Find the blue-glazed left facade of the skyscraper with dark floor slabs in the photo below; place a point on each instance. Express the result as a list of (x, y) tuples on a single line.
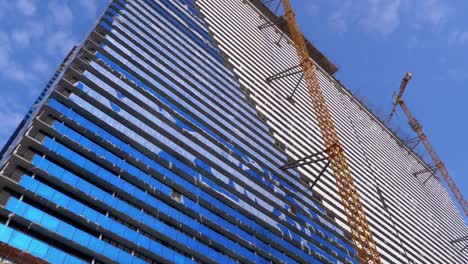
[(144, 148)]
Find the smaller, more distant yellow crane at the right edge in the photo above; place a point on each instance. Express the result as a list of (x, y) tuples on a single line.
[(416, 126)]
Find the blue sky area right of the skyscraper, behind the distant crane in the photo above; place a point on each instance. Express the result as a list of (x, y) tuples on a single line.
[(375, 42)]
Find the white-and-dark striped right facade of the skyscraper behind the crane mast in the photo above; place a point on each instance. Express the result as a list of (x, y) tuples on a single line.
[(413, 218)]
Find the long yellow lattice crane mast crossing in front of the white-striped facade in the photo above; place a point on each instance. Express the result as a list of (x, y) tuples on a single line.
[(361, 232)]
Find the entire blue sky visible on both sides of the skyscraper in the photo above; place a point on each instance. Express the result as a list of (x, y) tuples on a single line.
[(373, 42)]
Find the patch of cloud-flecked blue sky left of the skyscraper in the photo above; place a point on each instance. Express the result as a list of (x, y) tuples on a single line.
[(35, 36)]
